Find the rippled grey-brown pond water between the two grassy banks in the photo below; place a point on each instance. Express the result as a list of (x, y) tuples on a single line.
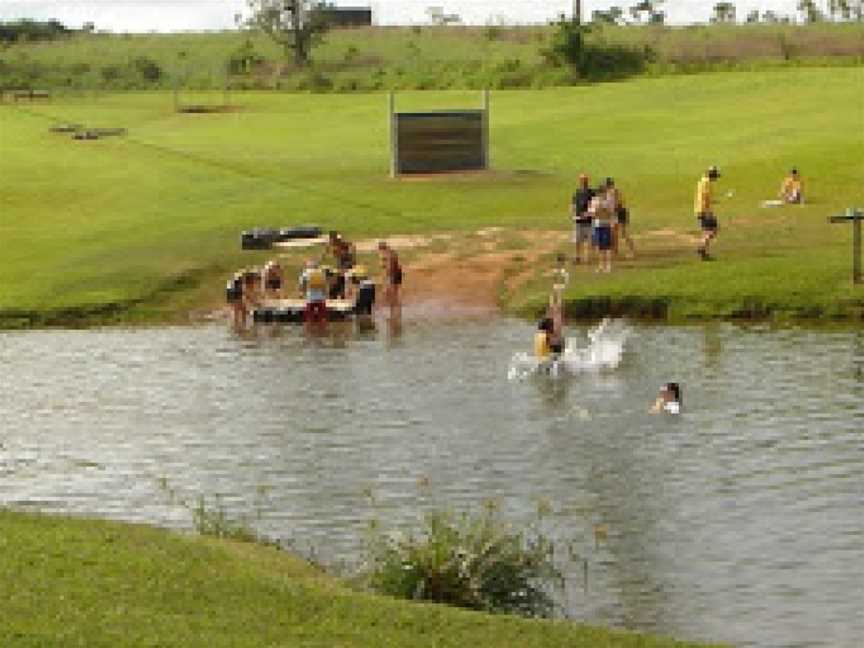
[(739, 520)]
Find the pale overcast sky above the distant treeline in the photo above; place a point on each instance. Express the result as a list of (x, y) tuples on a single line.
[(179, 15)]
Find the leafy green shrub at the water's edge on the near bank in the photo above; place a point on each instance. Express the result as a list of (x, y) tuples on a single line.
[(470, 561)]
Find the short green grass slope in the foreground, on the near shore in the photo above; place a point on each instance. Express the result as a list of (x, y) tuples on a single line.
[(81, 582)]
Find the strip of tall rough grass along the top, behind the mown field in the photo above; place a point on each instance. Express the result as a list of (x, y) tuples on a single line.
[(381, 58)]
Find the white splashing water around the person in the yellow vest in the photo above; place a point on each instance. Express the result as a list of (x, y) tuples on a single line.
[(604, 351)]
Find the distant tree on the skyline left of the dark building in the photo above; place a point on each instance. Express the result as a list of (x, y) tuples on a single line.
[(296, 25)]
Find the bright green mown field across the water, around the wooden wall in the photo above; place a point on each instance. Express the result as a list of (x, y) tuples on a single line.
[(146, 227)]
